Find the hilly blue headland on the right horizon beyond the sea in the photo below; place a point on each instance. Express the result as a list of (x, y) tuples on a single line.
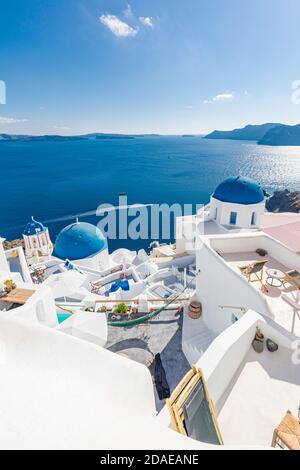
[(264, 134)]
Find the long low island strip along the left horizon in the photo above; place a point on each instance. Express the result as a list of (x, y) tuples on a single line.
[(67, 138)]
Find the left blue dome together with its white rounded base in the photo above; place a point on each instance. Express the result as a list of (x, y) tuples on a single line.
[(83, 243)]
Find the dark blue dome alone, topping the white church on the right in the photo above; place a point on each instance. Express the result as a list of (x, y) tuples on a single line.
[(239, 190)]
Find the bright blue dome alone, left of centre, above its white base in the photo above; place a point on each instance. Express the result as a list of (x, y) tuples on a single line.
[(78, 241)]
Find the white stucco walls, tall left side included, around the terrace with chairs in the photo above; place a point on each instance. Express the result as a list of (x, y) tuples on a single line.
[(224, 291)]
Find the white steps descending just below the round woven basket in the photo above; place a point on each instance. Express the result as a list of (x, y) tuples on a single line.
[(198, 342)]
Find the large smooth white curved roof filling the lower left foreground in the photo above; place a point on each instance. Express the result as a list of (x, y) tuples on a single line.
[(61, 392)]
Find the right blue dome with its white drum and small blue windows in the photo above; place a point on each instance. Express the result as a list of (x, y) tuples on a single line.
[(238, 202)]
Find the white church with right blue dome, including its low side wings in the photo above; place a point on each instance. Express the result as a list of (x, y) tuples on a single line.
[(236, 206)]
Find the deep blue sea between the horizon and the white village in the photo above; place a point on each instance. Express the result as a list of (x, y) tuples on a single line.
[(53, 180)]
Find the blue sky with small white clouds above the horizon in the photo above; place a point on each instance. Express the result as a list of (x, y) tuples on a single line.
[(167, 66)]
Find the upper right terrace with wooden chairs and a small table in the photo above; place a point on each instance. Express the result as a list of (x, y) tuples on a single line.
[(240, 251)]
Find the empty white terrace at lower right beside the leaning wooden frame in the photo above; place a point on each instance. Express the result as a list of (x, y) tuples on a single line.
[(261, 391)]
